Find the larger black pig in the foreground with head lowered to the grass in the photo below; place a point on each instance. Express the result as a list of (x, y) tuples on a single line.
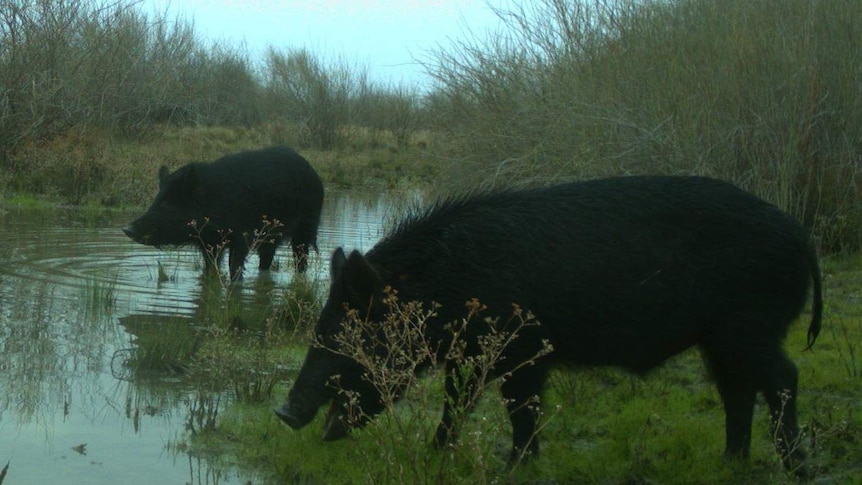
[(620, 272)]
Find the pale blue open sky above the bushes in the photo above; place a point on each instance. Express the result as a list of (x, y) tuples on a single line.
[(386, 36)]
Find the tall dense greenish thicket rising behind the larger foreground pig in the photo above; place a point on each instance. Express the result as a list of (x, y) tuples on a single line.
[(761, 93)]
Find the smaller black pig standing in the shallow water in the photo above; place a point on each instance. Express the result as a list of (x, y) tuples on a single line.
[(225, 203)]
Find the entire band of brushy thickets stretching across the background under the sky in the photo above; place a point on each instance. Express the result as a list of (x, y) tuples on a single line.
[(765, 94)]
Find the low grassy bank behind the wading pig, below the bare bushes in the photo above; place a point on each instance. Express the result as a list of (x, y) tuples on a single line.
[(93, 167)]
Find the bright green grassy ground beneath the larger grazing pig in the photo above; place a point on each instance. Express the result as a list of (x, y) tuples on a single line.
[(600, 425)]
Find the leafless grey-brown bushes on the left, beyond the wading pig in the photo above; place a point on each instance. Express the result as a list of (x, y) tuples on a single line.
[(102, 63)]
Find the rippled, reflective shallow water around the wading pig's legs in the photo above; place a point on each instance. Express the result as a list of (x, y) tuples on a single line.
[(68, 412)]
